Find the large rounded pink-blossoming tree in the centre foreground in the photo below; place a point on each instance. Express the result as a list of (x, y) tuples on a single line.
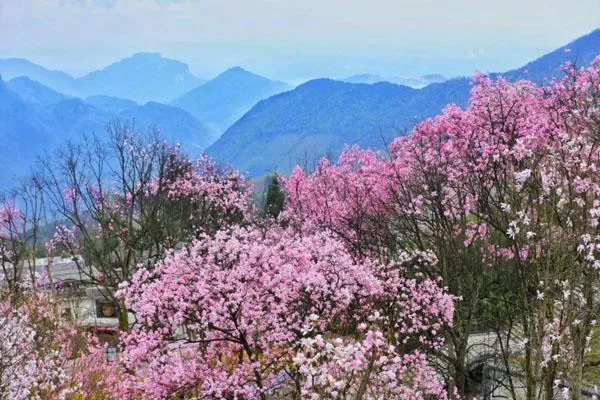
[(227, 316)]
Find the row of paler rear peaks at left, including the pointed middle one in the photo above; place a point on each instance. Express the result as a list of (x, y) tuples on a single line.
[(146, 77)]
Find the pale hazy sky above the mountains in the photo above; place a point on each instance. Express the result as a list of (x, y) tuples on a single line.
[(295, 39)]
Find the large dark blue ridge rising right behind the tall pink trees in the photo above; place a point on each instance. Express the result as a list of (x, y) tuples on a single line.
[(322, 116)]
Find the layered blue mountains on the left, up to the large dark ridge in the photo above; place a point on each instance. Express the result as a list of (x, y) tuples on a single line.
[(37, 117)]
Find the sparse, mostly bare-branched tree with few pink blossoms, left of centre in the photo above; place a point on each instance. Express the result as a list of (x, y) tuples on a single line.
[(126, 201)]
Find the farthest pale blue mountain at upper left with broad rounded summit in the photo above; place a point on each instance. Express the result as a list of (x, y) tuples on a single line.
[(142, 77)]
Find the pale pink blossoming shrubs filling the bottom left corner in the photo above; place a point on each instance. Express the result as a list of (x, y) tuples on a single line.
[(44, 357)]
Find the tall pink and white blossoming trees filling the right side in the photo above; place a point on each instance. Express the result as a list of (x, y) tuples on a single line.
[(505, 194)]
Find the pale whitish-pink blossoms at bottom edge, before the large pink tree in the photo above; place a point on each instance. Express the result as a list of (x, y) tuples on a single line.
[(371, 368)]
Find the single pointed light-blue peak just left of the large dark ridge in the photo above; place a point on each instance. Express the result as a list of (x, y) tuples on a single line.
[(224, 99)]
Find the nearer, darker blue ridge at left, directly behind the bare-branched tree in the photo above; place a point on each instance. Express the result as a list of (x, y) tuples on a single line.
[(35, 118)]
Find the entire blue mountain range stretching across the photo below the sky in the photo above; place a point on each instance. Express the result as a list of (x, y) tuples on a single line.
[(268, 126)]
